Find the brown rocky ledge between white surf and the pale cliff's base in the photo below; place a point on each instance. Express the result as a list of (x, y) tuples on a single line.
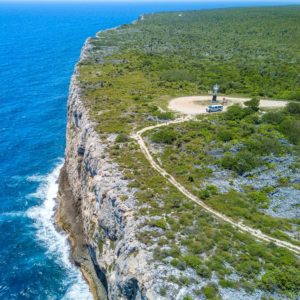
[(69, 221)]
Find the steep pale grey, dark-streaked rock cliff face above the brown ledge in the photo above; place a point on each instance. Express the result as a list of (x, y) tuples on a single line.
[(104, 206)]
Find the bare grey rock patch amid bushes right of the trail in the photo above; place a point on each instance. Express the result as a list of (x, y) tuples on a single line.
[(284, 200)]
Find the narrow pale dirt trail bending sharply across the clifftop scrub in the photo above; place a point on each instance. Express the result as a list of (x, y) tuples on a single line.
[(257, 234)]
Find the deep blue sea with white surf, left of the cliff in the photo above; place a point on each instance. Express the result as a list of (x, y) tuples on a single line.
[(39, 45)]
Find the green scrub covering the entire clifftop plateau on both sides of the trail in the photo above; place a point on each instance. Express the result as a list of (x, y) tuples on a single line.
[(131, 74)]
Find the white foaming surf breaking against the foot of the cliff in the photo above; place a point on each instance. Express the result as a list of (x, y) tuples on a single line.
[(56, 243)]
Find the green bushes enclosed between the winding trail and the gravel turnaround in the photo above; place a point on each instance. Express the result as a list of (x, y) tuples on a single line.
[(242, 139)]
